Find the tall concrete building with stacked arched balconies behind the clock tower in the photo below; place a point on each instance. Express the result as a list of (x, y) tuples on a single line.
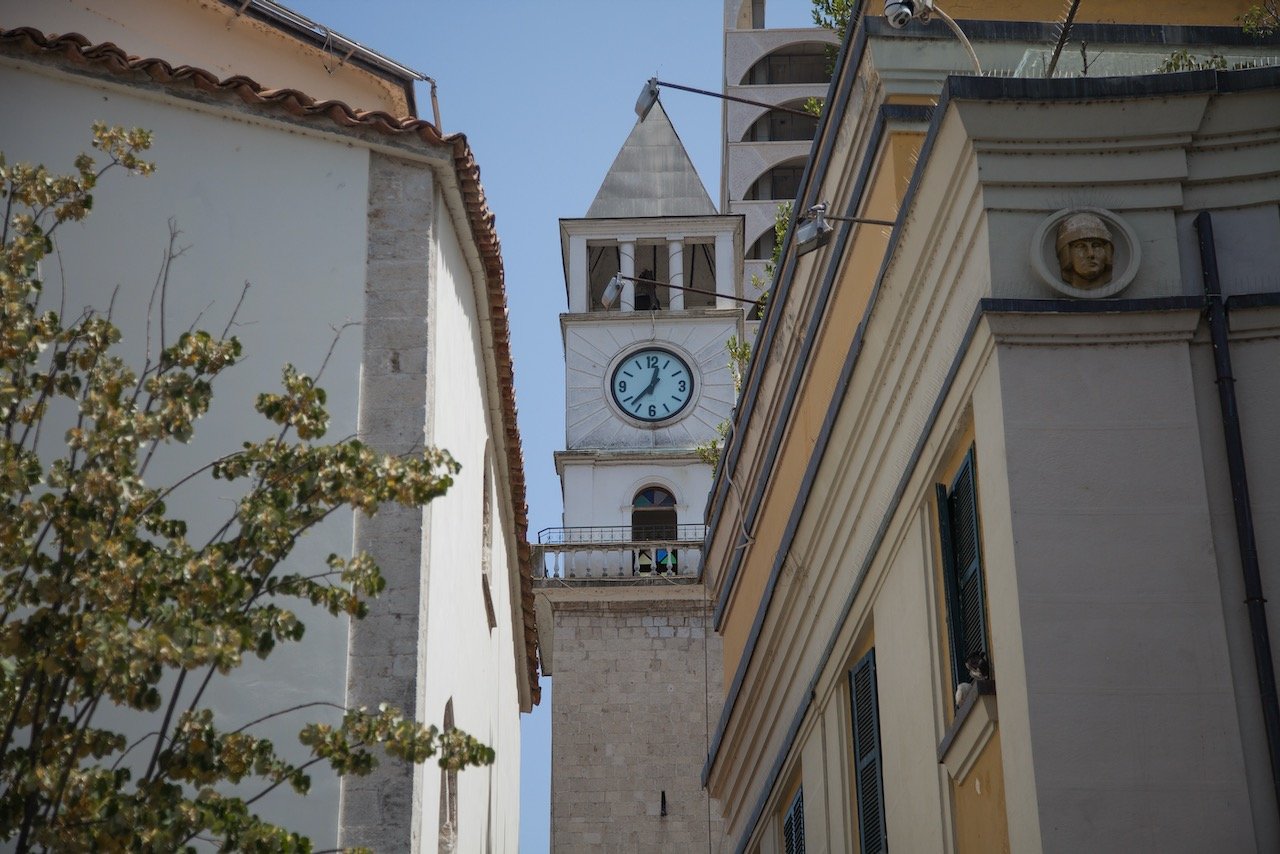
[(765, 152)]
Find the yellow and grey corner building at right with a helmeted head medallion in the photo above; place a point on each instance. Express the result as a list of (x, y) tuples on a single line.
[(980, 546)]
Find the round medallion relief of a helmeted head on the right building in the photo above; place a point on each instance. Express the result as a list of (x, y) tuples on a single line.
[(1086, 253)]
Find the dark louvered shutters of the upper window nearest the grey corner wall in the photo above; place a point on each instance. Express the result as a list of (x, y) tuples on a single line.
[(967, 613)]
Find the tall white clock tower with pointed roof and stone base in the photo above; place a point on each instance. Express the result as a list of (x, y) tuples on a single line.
[(655, 286)]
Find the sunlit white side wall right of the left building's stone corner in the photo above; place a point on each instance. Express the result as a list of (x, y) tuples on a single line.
[(461, 657)]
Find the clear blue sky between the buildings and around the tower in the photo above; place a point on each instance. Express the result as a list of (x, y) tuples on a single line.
[(545, 92)]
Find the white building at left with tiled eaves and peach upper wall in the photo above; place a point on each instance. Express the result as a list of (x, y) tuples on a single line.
[(292, 161)]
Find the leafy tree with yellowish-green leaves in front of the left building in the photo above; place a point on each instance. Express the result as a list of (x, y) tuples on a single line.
[(104, 600)]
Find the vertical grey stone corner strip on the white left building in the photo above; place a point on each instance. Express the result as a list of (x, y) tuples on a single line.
[(382, 666)]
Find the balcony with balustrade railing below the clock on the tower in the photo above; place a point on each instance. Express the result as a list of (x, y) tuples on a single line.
[(620, 554)]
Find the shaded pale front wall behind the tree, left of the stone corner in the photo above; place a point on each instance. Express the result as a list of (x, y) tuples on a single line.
[(236, 229)]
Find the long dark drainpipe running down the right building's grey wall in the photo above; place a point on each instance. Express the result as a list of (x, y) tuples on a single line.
[(1217, 309)]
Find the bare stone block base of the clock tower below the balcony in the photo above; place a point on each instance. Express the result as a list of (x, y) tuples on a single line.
[(630, 721)]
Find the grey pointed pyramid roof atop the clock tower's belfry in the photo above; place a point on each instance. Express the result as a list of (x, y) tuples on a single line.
[(652, 176)]
